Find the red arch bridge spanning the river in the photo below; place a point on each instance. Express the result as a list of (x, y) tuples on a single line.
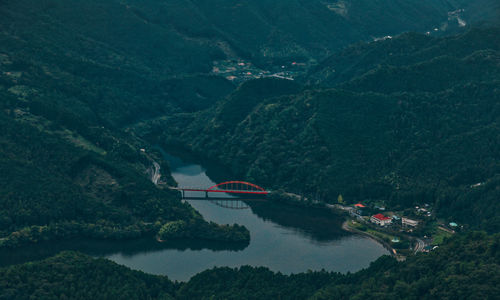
[(230, 187)]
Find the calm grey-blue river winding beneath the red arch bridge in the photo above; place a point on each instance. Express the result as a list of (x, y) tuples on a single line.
[(284, 238)]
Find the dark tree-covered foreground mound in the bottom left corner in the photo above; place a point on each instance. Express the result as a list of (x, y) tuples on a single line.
[(72, 275)]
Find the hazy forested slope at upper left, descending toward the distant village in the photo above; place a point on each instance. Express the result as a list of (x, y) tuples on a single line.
[(102, 62)]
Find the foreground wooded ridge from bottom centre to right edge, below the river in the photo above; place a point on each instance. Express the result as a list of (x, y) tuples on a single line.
[(466, 267)]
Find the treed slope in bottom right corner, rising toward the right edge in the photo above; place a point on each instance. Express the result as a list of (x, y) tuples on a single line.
[(467, 267)]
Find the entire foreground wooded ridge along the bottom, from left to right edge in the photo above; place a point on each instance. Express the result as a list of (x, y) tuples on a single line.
[(466, 267)]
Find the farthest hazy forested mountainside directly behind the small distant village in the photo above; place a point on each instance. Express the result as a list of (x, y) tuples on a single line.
[(276, 31)]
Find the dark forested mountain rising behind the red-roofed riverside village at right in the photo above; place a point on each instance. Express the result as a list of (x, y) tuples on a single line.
[(418, 126)]
